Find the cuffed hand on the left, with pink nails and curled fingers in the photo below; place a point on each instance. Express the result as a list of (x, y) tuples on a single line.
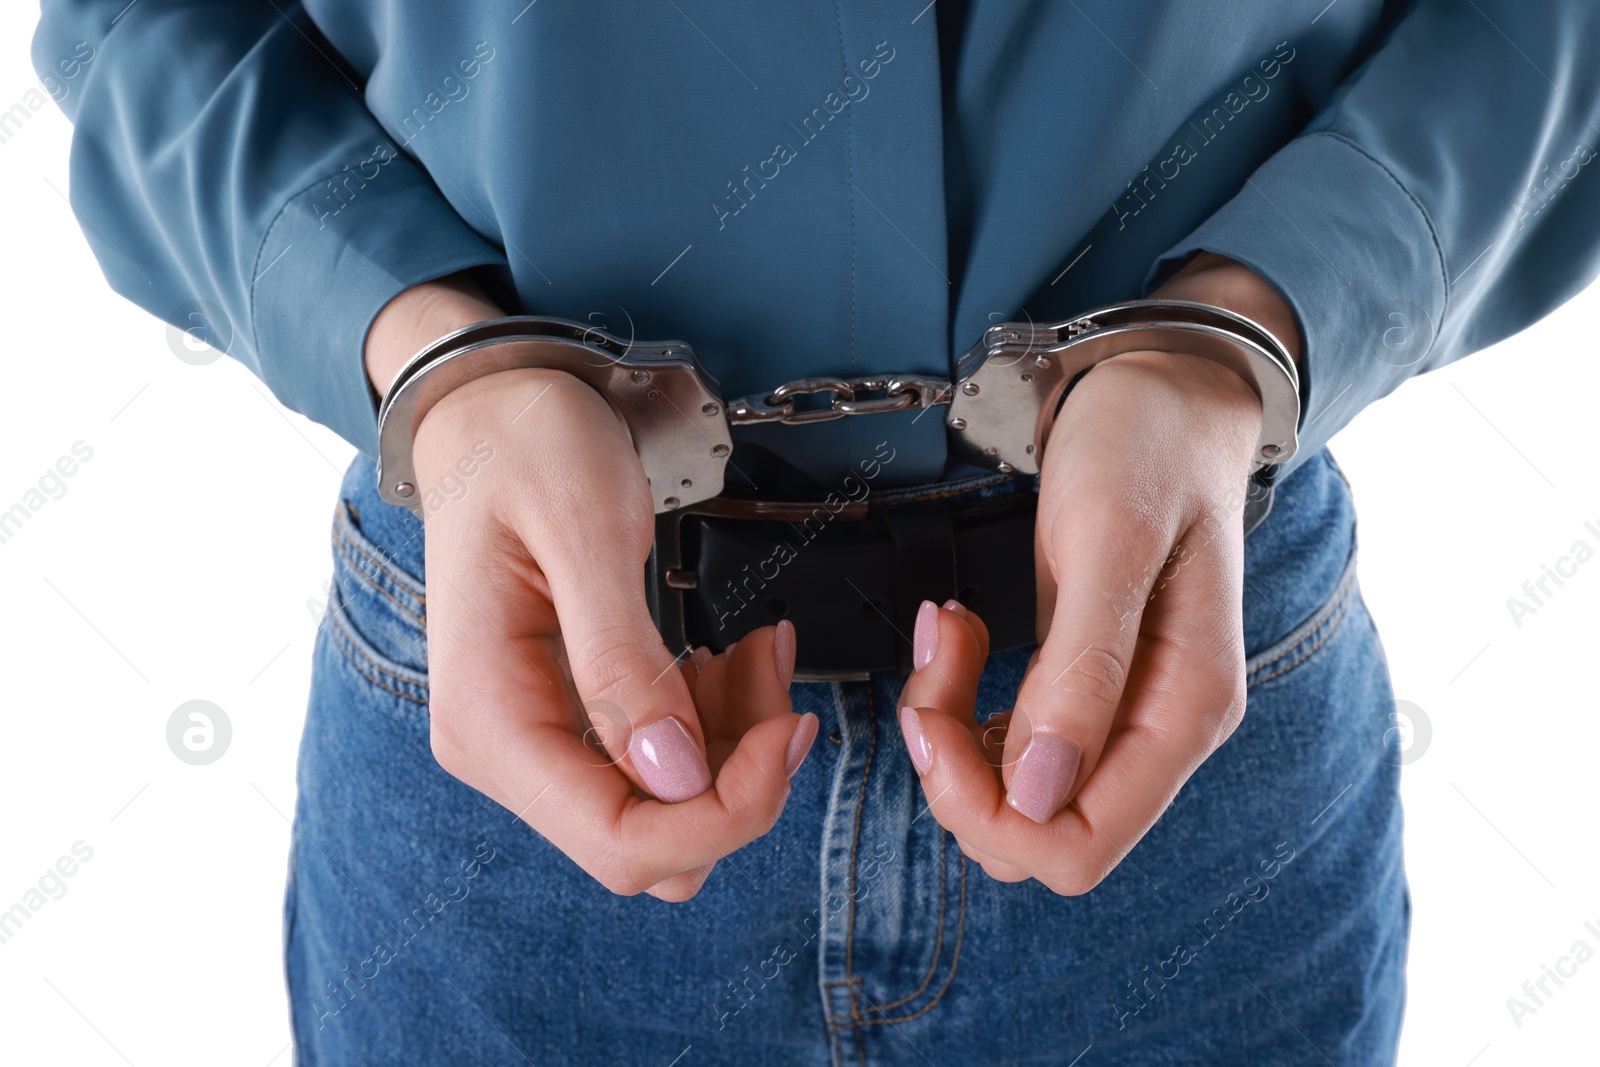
[(551, 690)]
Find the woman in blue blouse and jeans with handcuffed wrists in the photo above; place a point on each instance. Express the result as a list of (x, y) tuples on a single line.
[(729, 865)]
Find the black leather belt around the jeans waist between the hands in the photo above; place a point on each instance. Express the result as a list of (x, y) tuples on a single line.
[(850, 575)]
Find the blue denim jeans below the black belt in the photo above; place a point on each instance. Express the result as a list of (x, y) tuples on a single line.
[(1263, 921)]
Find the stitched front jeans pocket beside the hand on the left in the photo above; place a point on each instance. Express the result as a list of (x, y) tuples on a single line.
[(377, 610)]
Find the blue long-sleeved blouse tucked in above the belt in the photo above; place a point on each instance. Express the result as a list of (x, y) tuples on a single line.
[(815, 188)]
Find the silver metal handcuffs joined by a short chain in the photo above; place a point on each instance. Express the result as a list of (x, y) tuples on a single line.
[(1004, 401)]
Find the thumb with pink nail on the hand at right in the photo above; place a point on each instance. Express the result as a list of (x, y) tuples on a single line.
[(1100, 562)]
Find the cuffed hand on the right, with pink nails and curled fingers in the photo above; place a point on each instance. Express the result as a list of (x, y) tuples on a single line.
[(1142, 669)]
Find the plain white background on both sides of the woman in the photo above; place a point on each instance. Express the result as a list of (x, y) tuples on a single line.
[(182, 559)]
